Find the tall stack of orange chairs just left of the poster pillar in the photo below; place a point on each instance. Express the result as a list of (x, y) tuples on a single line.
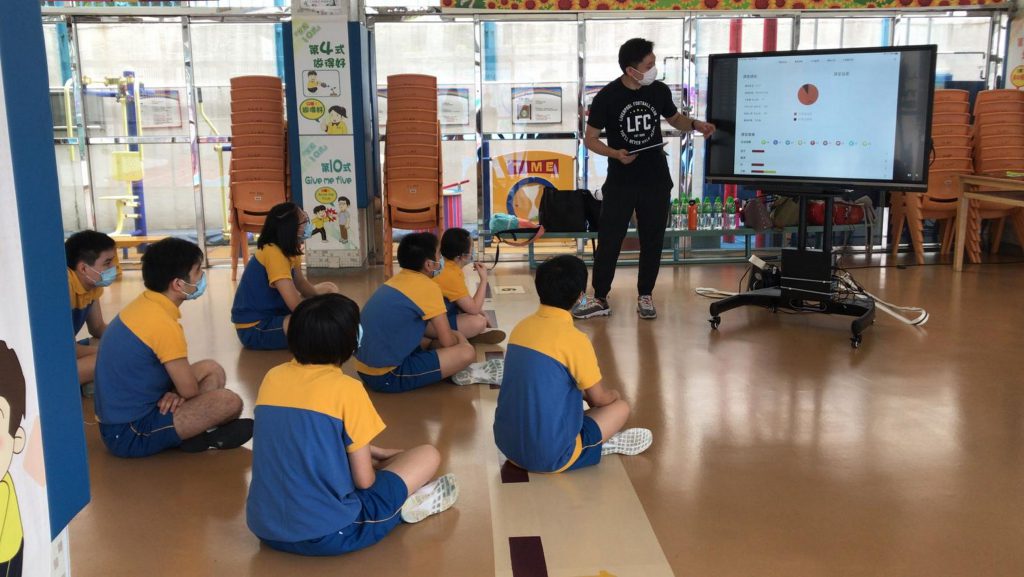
[(259, 157)]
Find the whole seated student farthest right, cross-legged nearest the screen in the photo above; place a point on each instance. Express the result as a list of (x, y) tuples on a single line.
[(551, 367)]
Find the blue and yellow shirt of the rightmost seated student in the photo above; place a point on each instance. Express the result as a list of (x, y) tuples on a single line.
[(548, 366)]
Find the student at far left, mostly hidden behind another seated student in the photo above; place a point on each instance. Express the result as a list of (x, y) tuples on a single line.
[(92, 267)]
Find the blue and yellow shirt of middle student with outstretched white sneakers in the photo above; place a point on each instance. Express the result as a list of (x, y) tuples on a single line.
[(395, 320)]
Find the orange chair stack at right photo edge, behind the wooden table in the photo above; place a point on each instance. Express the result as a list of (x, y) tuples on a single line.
[(999, 150)]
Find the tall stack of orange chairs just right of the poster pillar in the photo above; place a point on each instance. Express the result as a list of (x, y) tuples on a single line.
[(412, 158)]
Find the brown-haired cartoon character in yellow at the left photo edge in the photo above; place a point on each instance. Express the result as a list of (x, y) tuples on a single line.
[(13, 439)]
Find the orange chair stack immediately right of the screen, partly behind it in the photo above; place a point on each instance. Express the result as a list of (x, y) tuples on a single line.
[(952, 139)]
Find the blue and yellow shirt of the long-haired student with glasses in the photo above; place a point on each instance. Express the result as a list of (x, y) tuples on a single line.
[(257, 300)]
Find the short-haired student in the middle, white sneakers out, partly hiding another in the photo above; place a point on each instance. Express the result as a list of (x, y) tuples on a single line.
[(408, 343)]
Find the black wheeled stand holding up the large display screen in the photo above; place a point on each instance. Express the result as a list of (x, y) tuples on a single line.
[(806, 280)]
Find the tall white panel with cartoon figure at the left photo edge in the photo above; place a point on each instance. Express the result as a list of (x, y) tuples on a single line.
[(25, 530)]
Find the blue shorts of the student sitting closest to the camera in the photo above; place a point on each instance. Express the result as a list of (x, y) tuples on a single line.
[(381, 513)]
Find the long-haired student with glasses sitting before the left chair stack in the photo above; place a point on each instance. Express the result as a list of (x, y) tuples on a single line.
[(273, 283)]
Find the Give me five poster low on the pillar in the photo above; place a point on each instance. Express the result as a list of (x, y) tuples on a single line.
[(329, 197)]
